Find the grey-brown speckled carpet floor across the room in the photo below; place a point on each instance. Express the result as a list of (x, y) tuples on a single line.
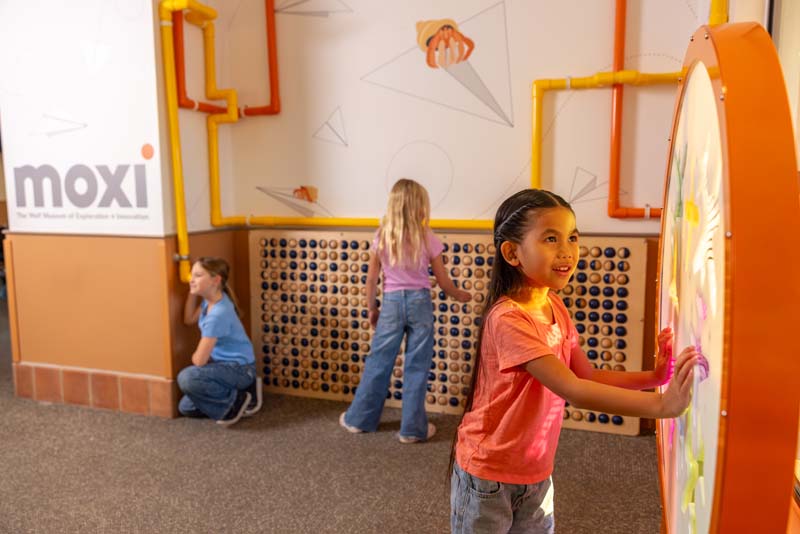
[(289, 469)]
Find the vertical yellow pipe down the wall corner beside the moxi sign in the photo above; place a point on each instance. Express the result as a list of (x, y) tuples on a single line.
[(165, 13)]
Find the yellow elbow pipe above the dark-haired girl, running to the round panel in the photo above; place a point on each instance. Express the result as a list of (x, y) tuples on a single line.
[(600, 79)]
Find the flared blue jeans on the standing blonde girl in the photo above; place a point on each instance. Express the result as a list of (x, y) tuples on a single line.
[(408, 311)]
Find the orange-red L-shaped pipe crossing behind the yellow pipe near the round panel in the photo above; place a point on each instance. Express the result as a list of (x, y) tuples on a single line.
[(614, 209)]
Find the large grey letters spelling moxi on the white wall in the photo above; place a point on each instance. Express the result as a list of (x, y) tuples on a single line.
[(85, 197)]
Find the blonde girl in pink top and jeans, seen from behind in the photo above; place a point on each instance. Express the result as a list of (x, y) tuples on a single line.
[(403, 249)]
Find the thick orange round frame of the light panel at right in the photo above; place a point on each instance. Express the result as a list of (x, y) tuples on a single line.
[(759, 392)]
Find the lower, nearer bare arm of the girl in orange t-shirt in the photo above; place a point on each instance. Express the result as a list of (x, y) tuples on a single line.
[(590, 395)]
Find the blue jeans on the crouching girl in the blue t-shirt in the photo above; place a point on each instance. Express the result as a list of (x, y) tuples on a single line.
[(211, 389)]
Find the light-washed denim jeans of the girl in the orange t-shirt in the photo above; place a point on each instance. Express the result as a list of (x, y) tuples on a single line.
[(488, 507)]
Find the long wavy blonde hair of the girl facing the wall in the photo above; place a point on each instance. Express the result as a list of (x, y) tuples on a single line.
[(402, 233)]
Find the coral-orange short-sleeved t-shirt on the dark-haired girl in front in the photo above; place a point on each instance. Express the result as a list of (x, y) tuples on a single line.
[(511, 433)]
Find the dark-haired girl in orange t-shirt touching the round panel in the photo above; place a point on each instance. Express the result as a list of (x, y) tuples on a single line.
[(527, 365)]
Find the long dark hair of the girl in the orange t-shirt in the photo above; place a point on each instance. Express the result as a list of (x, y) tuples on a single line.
[(514, 218)]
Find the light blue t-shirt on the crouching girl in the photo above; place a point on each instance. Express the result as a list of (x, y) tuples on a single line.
[(232, 345)]
